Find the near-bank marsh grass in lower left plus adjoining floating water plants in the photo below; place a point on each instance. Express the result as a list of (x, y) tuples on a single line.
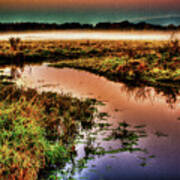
[(39, 133)]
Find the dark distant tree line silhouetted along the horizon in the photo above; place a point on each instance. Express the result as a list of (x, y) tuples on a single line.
[(125, 25)]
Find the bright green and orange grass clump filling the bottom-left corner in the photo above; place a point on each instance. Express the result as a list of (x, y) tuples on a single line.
[(24, 147)]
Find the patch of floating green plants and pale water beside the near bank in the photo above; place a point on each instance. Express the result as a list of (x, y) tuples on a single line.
[(104, 140)]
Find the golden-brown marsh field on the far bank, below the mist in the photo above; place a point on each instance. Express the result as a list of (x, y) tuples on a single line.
[(139, 62)]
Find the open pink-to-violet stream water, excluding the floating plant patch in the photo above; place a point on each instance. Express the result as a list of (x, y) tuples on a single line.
[(136, 107)]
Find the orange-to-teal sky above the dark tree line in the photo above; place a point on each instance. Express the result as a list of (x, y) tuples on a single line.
[(90, 11)]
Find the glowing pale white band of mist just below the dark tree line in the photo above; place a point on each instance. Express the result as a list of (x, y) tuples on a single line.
[(91, 35)]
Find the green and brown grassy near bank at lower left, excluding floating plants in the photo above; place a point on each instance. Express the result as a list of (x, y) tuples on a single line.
[(38, 130)]
